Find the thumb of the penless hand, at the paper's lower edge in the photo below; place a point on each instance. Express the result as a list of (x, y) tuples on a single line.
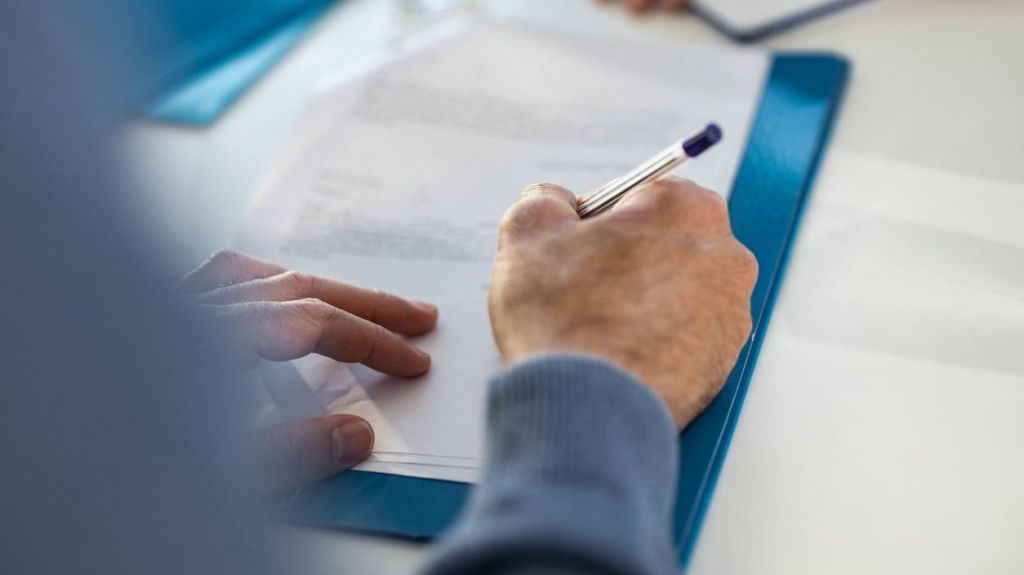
[(293, 455)]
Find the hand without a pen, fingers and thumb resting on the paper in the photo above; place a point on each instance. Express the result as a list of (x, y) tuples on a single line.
[(279, 315)]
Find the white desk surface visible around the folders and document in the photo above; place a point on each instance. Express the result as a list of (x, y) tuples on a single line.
[(884, 429)]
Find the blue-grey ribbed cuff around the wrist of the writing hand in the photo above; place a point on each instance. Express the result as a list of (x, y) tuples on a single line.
[(578, 415)]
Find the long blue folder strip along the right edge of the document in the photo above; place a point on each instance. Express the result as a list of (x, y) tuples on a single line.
[(791, 134)]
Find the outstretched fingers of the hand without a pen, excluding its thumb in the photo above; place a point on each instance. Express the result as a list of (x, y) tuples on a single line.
[(280, 315)]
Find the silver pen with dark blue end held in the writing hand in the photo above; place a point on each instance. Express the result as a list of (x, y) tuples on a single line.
[(658, 167)]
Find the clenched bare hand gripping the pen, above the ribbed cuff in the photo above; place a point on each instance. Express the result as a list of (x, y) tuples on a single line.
[(658, 286)]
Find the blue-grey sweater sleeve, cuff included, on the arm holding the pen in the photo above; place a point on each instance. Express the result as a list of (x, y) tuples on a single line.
[(581, 477)]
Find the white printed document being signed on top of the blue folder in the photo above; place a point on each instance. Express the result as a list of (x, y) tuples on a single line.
[(398, 179)]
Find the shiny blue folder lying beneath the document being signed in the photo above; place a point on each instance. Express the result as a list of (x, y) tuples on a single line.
[(790, 135)]
